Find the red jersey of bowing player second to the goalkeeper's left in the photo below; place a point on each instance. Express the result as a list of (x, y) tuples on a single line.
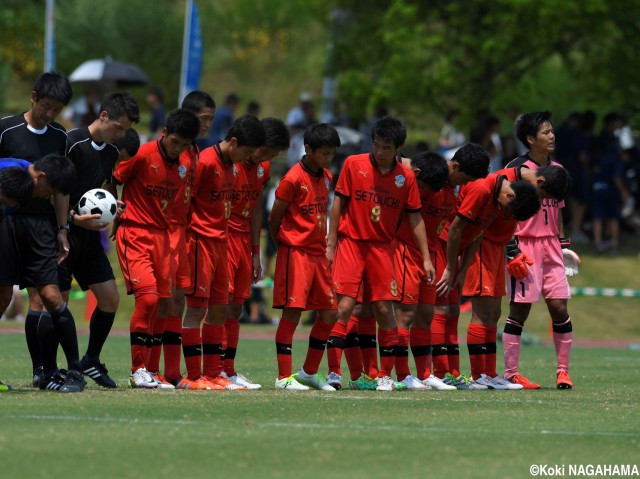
[(478, 205)]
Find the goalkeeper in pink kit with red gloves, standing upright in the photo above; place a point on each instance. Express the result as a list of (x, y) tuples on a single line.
[(539, 239)]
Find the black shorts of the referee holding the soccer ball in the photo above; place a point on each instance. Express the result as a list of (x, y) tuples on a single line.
[(87, 261)]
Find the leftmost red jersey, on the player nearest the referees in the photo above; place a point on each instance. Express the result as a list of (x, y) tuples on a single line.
[(151, 183)]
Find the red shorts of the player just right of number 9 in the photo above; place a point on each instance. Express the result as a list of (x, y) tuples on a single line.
[(412, 282)]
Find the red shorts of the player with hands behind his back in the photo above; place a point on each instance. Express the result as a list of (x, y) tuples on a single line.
[(302, 281)]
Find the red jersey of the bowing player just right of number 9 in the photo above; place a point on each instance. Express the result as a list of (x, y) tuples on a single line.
[(437, 208)]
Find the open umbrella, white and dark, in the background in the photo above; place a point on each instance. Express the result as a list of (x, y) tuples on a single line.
[(108, 73)]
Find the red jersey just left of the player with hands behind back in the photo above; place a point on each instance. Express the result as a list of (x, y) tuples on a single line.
[(250, 179)]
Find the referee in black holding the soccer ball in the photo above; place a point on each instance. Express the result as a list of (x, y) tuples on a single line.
[(92, 151)]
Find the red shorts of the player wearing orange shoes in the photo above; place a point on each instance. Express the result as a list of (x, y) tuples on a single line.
[(209, 271)]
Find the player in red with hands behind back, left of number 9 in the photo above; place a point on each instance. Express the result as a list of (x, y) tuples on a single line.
[(298, 225)]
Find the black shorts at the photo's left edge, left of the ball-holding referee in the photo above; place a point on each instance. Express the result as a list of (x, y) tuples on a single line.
[(29, 250)]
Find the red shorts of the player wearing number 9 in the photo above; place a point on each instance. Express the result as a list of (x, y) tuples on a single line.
[(354, 259)]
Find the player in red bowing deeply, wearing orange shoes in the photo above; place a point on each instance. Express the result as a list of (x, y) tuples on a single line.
[(207, 238)]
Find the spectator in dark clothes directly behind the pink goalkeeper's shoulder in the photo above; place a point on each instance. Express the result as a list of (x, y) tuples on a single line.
[(572, 150)]
